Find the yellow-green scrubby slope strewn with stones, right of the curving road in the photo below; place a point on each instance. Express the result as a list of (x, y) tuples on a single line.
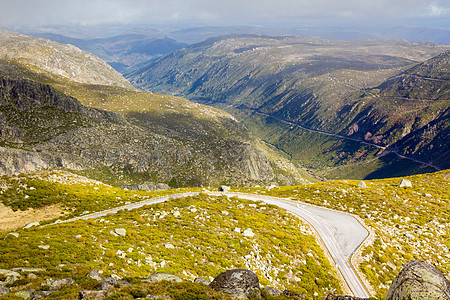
[(408, 222)]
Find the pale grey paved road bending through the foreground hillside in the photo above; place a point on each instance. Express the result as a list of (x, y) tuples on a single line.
[(341, 233)]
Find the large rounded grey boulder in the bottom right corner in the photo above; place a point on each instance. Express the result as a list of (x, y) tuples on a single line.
[(419, 280)]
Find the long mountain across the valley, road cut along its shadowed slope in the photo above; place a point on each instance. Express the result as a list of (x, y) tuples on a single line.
[(309, 97)]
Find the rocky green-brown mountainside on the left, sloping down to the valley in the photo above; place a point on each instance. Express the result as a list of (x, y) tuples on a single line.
[(129, 137)]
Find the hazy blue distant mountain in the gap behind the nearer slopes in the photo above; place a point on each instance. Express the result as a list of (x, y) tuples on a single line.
[(121, 51)]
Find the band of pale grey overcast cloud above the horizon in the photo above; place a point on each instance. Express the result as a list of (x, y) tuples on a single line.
[(235, 12)]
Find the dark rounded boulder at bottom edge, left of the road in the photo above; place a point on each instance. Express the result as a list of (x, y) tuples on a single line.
[(239, 283)]
